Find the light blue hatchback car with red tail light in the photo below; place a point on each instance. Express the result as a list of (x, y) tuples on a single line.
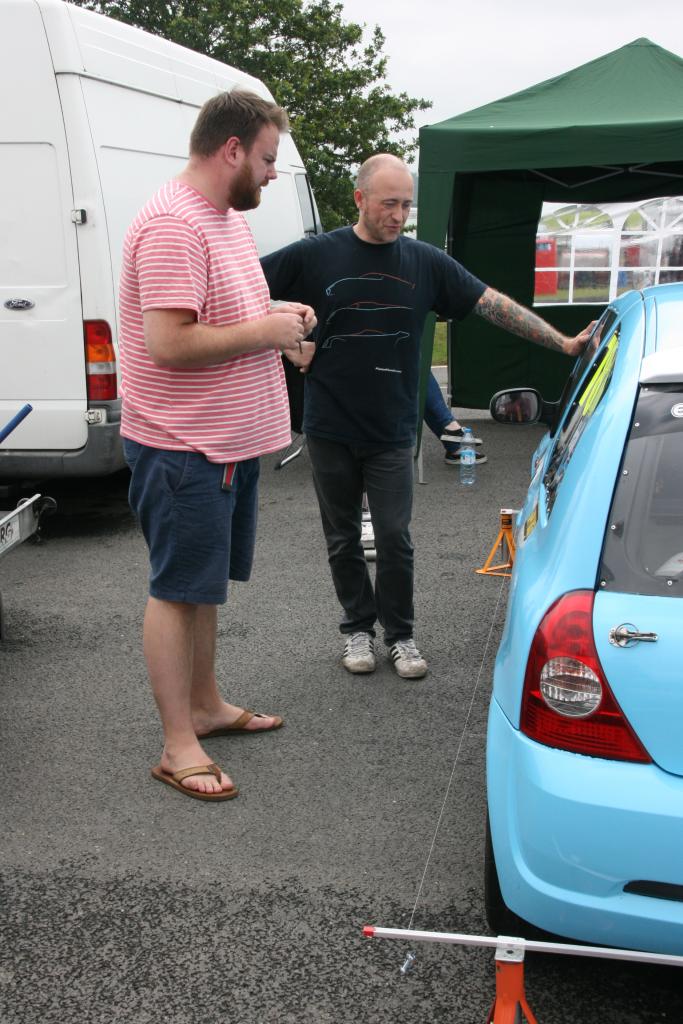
[(585, 744)]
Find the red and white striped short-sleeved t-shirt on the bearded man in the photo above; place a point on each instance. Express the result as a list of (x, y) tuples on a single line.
[(183, 253)]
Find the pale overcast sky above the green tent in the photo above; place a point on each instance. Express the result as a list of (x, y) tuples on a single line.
[(463, 54)]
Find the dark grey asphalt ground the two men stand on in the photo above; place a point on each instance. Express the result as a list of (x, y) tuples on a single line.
[(124, 902)]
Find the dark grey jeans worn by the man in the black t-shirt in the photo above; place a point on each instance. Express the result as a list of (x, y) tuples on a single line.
[(341, 474)]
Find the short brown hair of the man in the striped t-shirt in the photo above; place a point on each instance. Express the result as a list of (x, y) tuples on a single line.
[(239, 113)]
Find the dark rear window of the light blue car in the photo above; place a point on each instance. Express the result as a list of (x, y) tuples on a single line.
[(644, 547)]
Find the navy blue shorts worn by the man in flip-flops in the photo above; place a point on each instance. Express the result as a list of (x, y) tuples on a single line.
[(199, 535)]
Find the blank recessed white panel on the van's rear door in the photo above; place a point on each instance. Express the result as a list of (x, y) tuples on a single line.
[(32, 232)]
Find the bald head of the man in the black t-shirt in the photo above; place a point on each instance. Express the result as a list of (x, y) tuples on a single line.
[(385, 197)]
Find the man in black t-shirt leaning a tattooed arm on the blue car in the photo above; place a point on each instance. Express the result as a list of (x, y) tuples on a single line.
[(372, 288)]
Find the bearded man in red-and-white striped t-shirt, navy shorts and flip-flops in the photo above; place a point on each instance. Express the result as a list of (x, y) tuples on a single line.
[(204, 397)]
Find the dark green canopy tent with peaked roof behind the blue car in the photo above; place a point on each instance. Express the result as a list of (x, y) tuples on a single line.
[(611, 131)]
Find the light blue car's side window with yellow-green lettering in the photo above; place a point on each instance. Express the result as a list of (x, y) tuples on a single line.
[(583, 406)]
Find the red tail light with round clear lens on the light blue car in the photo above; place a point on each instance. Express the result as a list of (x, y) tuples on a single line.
[(567, 701)]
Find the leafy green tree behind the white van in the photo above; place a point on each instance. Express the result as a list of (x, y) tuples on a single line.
[(330, 79)]
